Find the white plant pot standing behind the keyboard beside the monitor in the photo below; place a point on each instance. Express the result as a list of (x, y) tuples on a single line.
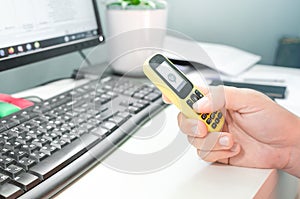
[(134, 35)]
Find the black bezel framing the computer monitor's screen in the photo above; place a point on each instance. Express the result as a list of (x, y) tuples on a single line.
[(57, 51)]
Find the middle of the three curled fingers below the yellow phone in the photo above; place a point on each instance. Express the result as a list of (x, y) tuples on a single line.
[(214, 141)]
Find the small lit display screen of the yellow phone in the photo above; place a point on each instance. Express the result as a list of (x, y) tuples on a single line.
[(171, 76)]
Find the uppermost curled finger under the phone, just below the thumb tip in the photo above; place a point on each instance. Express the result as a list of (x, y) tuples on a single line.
[(191, 127)]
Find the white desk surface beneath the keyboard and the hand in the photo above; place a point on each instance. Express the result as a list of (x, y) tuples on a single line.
[(188, 177)]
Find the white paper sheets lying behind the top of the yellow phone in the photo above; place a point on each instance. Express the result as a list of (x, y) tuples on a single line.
[(225, 59)]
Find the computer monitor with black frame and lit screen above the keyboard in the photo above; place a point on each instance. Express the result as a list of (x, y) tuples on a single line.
[(34, 30)]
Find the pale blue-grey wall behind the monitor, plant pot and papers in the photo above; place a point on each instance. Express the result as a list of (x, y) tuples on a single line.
[(254, 26)]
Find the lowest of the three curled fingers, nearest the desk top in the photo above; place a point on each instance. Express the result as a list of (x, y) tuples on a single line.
[(215, 156)]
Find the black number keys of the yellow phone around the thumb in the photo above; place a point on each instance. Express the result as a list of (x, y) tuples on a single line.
[(212, 119)]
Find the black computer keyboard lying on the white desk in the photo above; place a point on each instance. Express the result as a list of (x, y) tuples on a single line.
[(43, 148)]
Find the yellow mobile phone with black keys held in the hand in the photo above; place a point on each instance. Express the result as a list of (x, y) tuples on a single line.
[(179, 90)]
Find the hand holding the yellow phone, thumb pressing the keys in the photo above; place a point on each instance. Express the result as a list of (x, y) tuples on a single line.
[(257, 133)]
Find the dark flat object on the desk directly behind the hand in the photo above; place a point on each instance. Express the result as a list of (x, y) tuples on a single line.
[(271, 91)]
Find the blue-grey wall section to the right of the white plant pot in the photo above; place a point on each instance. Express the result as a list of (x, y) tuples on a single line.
[(255, 25)]
